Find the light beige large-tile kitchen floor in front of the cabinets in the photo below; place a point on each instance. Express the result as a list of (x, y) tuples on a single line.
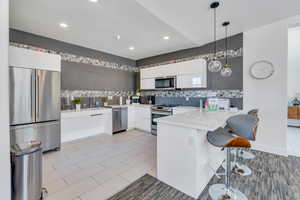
[(98, 167)]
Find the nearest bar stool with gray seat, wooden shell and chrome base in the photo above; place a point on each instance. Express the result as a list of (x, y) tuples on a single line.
[(221, 138)]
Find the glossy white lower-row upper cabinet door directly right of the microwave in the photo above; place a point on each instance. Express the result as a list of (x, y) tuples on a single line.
[(191, 81)]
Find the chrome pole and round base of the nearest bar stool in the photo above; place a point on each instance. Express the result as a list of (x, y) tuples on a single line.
[(224, 191)]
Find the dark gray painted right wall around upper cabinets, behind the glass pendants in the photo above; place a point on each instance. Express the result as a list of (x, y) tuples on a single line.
[(215, 80)]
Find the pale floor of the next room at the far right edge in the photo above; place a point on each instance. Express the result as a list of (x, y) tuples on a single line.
[(293, 139)]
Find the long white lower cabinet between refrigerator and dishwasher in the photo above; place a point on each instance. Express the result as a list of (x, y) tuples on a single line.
[(86, 123)]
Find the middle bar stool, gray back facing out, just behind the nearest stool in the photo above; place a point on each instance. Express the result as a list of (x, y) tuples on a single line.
[(244, 125)]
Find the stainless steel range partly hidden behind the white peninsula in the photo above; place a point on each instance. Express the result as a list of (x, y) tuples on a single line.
[(158, 112)]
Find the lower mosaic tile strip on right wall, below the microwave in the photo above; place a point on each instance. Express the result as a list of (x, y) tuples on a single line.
[(195, 93)]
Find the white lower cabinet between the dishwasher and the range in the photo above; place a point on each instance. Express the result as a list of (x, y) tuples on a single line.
[(139, 117)]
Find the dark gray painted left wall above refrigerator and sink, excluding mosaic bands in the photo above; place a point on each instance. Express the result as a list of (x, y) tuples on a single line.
[(79, 76)]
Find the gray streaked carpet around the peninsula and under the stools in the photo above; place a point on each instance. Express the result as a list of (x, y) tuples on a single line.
[(273, 178)]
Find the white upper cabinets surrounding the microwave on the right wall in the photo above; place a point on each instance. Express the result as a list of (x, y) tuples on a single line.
[(189, 74)]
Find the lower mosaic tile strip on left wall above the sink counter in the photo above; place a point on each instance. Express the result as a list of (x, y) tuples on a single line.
[(94, 93)]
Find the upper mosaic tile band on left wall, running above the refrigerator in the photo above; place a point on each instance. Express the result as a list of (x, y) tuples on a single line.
[(79, 59)]
